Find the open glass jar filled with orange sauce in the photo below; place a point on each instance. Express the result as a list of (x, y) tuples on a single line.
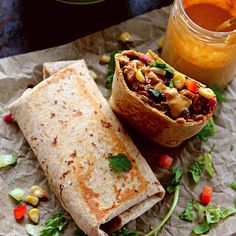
[(204, 55)]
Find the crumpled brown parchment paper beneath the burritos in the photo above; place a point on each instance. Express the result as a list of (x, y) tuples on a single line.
[(17, 72)]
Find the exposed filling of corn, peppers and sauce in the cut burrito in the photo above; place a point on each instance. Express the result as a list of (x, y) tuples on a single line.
[(165, 89)]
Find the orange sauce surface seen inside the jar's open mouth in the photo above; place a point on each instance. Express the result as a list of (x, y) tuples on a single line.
[(209, 16)]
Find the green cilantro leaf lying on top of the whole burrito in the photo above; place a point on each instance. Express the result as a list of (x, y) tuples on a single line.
[(119, 162)]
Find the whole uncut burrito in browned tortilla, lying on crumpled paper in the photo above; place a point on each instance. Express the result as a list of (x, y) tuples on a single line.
[(73, 132)]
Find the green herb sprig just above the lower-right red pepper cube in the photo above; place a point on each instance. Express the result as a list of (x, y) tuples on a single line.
[(204, 162)]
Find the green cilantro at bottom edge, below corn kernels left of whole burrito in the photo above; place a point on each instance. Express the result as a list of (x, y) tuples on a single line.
[(54, 225)]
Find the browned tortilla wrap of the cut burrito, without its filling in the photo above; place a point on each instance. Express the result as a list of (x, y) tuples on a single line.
[(148, 120)]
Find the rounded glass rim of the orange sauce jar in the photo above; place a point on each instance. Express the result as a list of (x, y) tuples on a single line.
[(193, 25)]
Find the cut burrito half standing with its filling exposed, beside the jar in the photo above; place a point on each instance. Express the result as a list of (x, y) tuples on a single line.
[(163, 104)]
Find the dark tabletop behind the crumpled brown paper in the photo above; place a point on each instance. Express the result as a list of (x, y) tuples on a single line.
[(28, 25)]
